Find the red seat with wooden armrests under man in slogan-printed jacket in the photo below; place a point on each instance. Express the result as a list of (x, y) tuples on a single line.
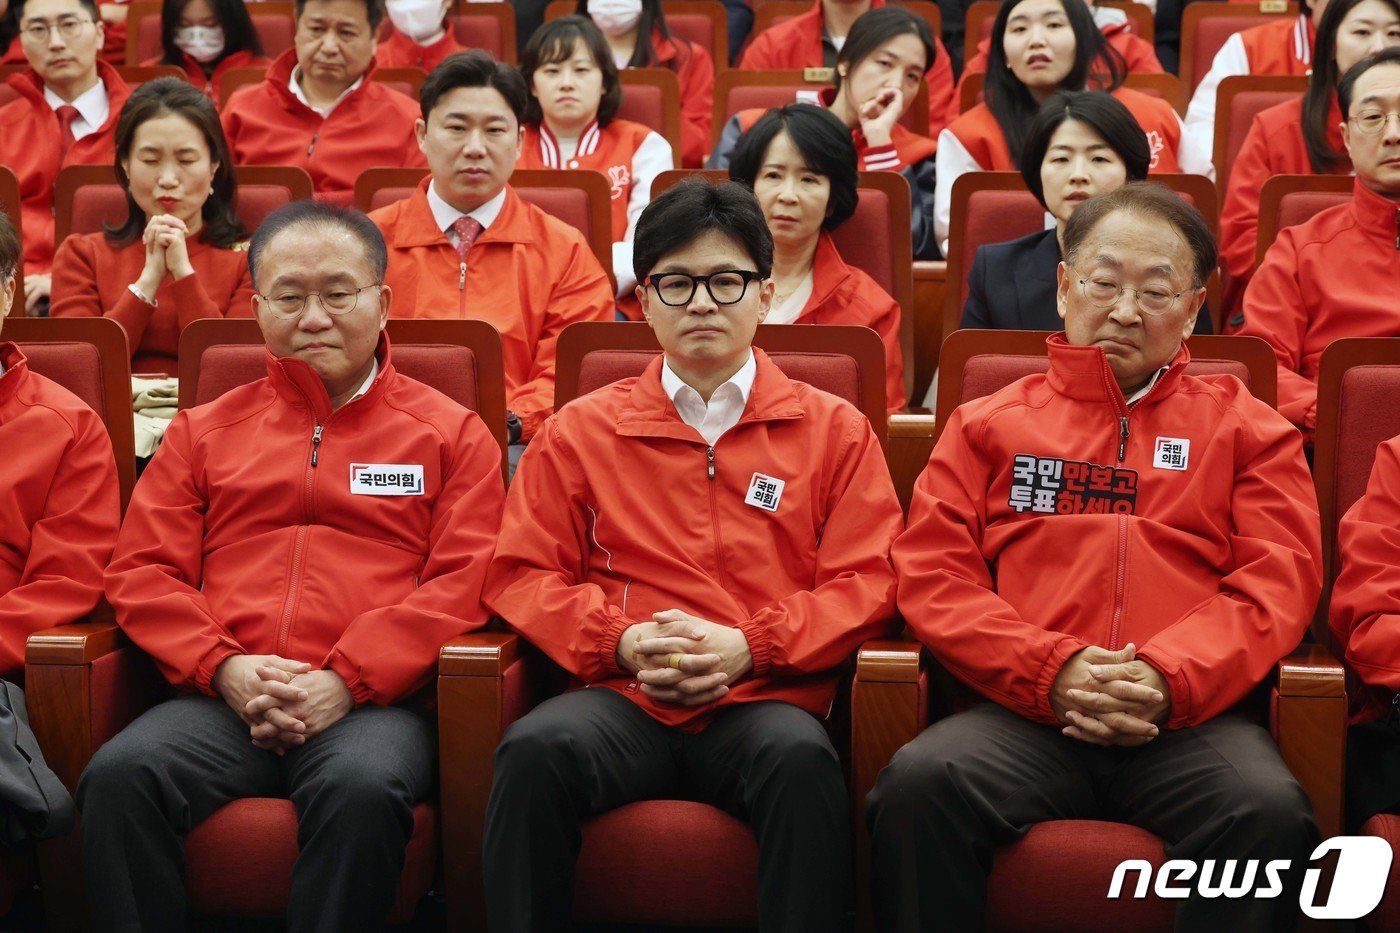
[(891, 698)]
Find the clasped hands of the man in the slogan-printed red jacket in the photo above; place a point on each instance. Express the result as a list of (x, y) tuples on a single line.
[(1111, 698)]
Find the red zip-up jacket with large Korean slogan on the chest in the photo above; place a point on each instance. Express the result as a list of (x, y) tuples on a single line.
[(1053, 516)]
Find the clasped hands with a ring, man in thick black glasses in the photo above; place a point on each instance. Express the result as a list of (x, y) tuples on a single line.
[(684, 661)]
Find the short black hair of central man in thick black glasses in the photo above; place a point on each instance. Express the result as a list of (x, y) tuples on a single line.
[(695, 208)]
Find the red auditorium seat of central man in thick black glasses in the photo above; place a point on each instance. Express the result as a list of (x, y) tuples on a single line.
[(486, 682)]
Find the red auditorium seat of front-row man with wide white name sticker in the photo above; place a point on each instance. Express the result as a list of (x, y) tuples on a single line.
[(87, 682)]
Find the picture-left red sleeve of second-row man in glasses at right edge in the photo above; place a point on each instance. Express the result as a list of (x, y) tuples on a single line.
[(1276, 312)]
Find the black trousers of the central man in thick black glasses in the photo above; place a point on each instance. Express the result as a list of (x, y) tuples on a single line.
[(590, 752)]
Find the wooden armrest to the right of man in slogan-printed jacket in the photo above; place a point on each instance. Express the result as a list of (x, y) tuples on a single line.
[(1311, 729)]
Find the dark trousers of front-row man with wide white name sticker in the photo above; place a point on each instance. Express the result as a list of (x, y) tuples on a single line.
[(353, 787)]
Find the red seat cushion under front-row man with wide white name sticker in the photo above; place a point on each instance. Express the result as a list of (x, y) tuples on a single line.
[(257, 882)]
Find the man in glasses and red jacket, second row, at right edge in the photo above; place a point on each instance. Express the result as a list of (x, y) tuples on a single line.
[(1336, 275)]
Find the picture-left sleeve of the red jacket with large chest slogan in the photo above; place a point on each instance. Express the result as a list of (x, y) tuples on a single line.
[(947, 592)]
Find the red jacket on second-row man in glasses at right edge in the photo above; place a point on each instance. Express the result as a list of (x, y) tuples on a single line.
[(1333, 277)]
